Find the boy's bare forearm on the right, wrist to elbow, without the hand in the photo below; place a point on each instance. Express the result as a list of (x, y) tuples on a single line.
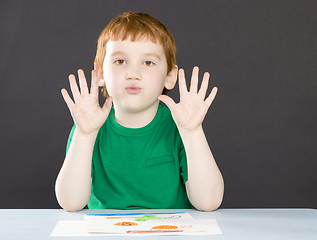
[(205, 185)]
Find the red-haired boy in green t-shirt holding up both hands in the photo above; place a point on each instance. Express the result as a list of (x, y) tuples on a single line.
[(138, 153)]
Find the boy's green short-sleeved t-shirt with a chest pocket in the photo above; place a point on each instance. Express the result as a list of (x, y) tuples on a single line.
[(139, 167)]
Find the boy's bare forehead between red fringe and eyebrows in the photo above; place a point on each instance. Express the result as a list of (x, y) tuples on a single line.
[(134, 47)]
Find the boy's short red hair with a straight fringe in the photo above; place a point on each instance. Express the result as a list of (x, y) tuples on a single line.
[(137, 26)]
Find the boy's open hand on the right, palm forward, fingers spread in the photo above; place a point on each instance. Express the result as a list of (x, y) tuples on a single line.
[(190, 112)]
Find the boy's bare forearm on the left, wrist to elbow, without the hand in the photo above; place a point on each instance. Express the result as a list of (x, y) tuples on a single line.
[(73, 184)]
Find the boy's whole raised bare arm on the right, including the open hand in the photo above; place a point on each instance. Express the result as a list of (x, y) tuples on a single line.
[(205, 183)]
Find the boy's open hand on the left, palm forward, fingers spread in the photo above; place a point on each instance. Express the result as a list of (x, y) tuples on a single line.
[(85, 109)]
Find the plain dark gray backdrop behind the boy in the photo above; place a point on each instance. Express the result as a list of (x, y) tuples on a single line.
[(261, 55)]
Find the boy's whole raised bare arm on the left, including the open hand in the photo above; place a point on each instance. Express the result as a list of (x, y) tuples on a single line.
[(73, 184)]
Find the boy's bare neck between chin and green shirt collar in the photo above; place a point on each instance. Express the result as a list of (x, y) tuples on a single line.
[(136, 119)]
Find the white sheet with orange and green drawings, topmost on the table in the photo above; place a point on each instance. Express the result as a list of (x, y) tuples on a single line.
[(142, 223)]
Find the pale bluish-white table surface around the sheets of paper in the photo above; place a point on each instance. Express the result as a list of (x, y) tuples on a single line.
[(234, 223)]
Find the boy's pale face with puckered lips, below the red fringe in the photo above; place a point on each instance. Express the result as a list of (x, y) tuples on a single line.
[(135, 74)]
